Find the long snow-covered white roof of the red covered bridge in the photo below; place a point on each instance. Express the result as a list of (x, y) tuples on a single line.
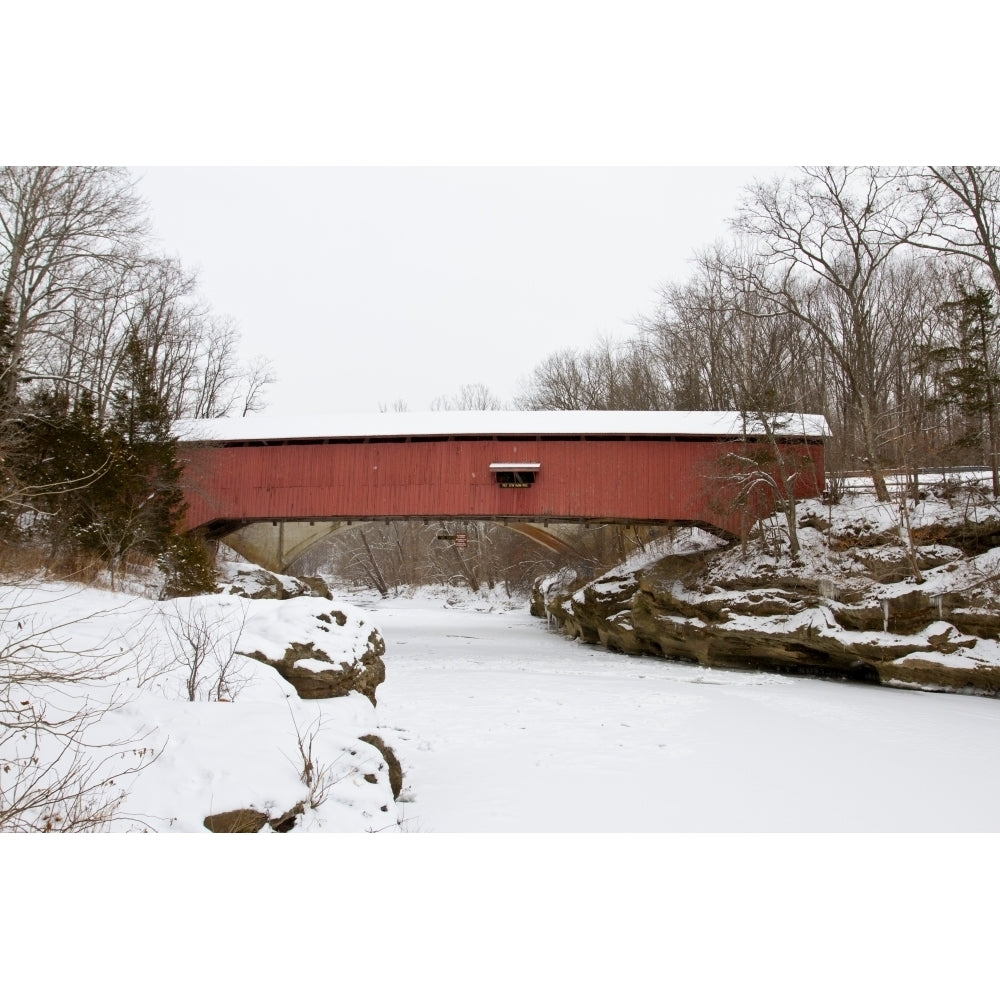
[(448, 423)]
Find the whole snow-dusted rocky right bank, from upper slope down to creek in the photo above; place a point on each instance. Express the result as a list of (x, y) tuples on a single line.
[(865, 598)]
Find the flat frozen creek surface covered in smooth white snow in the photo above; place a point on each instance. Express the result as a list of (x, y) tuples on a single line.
[(504, 726)]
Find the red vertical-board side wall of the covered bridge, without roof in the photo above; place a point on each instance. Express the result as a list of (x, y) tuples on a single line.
[(630, 480)]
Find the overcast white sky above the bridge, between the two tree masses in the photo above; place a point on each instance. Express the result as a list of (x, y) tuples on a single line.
[(370, 285)]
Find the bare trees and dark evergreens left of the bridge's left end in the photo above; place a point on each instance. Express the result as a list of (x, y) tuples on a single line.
[(103, 344)]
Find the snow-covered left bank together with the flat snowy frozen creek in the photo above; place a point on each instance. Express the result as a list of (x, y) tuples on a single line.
[(500, 725)]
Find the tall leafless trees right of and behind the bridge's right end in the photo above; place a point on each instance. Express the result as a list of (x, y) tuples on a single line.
[(867, 294)]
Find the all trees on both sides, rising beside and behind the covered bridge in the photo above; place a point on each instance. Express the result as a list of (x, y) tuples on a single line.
[(867, 294)]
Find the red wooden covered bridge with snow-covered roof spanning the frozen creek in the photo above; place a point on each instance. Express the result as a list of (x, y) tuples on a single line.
[(297, 479)]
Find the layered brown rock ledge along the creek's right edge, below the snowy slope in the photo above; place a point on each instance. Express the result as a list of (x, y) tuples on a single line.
[(693, 606)]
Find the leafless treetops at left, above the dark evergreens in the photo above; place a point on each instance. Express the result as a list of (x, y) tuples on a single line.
[(76, 286)]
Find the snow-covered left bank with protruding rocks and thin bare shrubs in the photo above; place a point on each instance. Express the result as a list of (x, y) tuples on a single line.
[(178, 721)]
